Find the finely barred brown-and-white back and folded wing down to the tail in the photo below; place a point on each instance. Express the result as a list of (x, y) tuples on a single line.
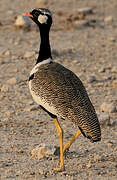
[(63, 94)]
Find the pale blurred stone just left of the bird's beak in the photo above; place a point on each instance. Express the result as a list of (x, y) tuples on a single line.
[(22, 21)]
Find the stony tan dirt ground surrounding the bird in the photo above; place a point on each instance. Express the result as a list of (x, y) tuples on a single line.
[(89, 50)]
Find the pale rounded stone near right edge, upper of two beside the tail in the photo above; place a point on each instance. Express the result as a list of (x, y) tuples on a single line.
[(108, 107)]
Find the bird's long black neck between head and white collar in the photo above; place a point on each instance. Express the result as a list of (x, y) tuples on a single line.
[(45, 50)]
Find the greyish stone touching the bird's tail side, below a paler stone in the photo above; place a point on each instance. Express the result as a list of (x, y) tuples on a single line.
[(104, 119)]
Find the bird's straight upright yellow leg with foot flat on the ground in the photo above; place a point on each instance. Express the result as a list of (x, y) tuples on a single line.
[(60, 133)]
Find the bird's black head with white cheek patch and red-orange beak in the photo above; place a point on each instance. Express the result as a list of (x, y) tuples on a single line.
[(42, 17)]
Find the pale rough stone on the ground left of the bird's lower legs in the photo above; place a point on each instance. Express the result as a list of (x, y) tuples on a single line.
[(42, 151)]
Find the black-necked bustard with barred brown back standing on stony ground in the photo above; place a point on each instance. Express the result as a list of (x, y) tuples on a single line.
[(58, 91)]
